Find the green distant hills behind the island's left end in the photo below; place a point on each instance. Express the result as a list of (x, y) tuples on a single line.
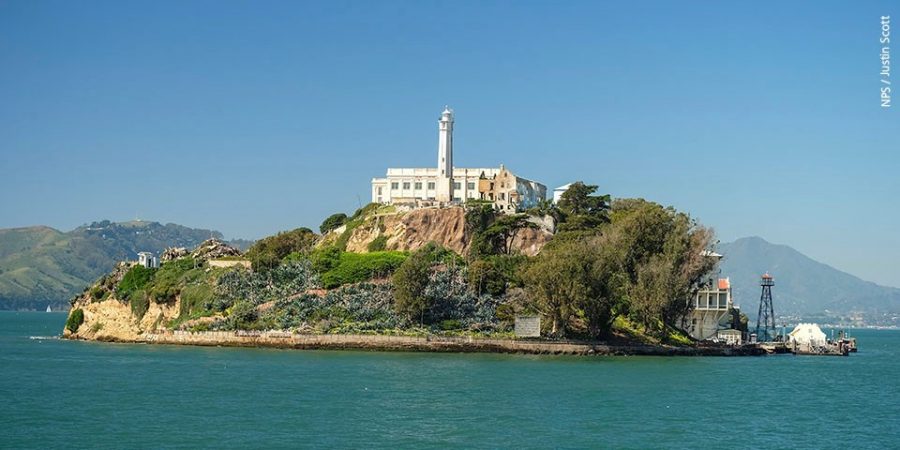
[(40, 265)]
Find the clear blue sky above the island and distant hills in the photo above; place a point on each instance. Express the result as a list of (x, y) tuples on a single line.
[(758, 118)]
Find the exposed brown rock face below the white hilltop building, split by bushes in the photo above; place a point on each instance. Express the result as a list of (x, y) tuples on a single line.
[(445, 226)]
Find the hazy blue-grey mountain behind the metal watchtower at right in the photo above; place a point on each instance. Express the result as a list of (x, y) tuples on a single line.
[(802, 285)]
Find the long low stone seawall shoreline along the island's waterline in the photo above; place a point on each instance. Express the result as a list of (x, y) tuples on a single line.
[(436, 344)]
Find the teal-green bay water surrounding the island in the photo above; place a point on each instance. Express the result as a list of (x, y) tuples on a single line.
[(61, 394)]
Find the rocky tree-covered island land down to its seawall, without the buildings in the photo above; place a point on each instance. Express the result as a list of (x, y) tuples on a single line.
[(601, 276)]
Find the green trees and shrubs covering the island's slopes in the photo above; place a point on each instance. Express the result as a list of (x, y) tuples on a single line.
[(614, 267)]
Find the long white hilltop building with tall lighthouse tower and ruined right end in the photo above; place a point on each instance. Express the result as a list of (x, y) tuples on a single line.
[(446, 184)]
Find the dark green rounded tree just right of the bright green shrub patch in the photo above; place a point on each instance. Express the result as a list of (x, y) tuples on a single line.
[(409, 284)]
